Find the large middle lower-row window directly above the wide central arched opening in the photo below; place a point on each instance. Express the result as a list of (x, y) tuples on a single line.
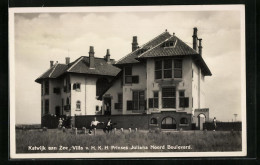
[(169, 97)]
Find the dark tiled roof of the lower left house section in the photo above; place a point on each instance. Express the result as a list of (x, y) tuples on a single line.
[(81, 65)]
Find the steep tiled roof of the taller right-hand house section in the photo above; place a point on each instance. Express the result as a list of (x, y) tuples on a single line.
[(155, 48)]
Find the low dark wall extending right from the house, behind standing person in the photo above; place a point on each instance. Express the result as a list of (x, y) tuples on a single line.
[(224, 126)]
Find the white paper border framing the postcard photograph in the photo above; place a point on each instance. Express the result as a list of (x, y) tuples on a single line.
[(12, 11)]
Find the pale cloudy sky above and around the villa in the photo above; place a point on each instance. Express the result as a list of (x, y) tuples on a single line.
[(41, 37)]
